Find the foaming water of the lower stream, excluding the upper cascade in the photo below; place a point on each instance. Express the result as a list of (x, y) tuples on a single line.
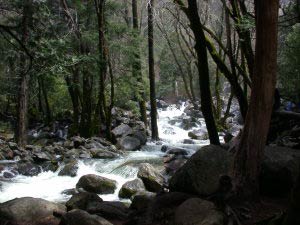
[(49, 186)]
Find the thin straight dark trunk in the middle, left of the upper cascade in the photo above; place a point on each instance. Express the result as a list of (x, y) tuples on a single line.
[(154, 127)]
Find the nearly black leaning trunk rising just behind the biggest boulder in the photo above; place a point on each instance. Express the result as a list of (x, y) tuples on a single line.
[(205, 94)]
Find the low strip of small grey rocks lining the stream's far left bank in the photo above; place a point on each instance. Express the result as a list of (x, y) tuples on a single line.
[(33, 159)]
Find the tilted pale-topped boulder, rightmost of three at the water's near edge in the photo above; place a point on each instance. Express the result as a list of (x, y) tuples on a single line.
[(152, 179)]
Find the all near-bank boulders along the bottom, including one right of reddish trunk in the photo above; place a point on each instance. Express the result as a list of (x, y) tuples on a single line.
[(188, 202)]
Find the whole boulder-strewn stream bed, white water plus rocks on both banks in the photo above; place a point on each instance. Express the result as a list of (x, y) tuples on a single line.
[(92, 181)]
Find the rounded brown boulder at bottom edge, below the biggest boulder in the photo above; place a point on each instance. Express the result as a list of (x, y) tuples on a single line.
[(196, 211)]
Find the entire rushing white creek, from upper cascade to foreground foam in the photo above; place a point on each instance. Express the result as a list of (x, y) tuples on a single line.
[(49, 186)]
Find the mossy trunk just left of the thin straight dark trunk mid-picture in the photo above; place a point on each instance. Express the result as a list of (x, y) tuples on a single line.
[(137, 67)]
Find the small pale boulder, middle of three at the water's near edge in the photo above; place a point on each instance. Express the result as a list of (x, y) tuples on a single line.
[(131, 187)]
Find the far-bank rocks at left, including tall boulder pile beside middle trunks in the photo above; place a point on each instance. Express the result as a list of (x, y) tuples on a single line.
[(49, 150)]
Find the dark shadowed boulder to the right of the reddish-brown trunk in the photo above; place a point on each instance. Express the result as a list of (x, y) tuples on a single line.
[(279, 170)]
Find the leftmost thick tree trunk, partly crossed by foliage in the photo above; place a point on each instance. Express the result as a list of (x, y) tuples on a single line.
[(22, 105)]
